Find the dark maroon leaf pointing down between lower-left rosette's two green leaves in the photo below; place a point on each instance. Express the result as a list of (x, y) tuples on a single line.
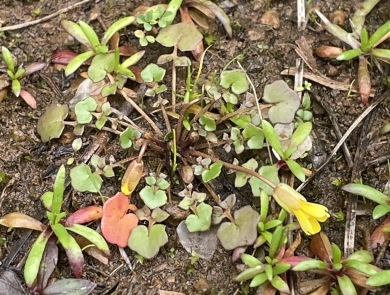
[(48, 263)]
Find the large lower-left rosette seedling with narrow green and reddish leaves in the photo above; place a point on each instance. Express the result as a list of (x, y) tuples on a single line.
[(58, 228)]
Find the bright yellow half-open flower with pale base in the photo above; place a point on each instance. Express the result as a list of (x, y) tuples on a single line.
[(308, 214)]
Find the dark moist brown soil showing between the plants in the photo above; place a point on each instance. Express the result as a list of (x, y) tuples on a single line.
[(24, 160)]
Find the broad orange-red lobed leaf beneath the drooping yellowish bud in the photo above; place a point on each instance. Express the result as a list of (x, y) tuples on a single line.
[(116, 224)]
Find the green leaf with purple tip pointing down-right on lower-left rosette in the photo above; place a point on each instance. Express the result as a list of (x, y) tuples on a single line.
[(72, 249)]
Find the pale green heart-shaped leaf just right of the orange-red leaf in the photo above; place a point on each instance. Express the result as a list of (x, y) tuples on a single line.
[(147, 244)]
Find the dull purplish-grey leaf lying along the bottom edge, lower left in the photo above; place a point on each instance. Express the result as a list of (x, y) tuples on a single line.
[(70, 286)]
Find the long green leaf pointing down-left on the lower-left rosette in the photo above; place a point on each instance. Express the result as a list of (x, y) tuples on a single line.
[(33, 262)]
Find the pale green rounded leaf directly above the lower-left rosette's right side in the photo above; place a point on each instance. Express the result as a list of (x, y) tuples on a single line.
[(84, 180)]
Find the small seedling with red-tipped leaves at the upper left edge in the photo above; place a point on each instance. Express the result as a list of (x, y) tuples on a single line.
[(14, 77)]
